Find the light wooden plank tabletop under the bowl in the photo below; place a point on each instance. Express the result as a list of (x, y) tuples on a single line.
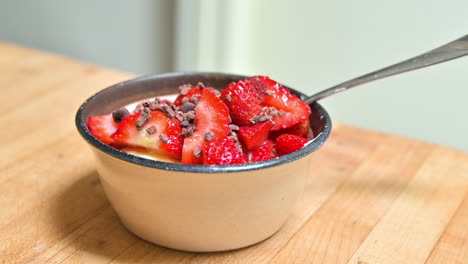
[(370, 198)]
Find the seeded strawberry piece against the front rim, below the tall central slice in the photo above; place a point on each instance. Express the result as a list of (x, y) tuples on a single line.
[(222, 151)]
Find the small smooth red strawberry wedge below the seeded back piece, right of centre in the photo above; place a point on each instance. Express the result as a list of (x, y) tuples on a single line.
[(254, 136)]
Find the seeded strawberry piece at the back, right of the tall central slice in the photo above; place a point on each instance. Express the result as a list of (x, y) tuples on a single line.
[(244, 99)]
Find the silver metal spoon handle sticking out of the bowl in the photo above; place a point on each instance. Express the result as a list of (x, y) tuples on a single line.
[(449, 51)]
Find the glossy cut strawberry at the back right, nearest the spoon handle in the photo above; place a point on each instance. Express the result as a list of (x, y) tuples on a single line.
[(292, 110)]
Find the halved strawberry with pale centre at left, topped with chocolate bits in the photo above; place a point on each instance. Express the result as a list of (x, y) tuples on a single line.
[(161, 133)]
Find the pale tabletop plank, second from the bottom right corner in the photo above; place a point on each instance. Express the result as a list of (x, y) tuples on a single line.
[(414, 223)]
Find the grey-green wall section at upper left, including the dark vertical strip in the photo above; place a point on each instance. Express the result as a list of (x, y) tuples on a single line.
[(134, 36)]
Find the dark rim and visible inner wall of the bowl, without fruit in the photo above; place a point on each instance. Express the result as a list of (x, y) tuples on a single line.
[(121, 94)]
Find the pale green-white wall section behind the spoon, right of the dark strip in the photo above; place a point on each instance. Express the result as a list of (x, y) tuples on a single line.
[(313, 45)]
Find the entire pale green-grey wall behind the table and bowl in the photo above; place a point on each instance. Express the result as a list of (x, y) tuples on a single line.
[(309, 45)]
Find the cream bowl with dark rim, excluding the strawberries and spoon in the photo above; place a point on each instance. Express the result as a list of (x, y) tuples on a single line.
[(194, 207)]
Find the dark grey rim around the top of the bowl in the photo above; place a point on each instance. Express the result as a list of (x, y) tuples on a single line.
[(311, 146)]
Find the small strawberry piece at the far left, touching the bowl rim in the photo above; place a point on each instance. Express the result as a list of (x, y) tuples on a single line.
[(103, 127)]
